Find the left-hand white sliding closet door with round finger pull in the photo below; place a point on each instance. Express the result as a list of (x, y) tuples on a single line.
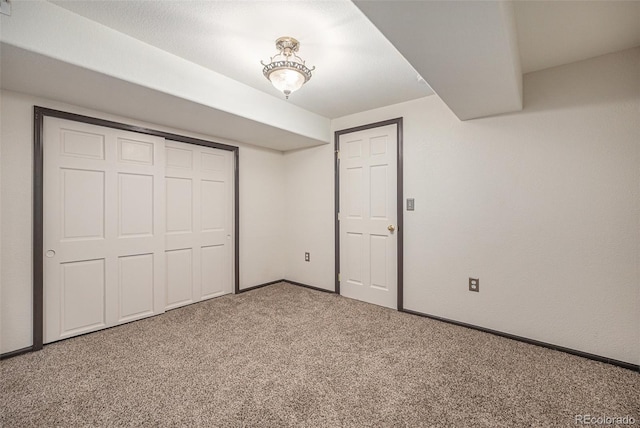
[(104, 225)]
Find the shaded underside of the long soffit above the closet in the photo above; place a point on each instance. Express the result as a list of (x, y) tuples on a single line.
[(31, 73)]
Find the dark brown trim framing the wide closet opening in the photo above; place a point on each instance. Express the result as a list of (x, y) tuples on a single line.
[(38, 201)]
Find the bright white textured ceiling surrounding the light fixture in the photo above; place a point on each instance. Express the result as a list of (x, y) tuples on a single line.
[(357, 68)]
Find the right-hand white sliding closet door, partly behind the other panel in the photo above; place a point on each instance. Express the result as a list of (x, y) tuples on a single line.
[(199, 226)]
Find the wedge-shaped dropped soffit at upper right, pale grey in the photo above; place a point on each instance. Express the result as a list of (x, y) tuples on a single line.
[(466, 50)]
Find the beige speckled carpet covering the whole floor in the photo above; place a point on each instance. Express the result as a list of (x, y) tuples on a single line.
[(287, 356)]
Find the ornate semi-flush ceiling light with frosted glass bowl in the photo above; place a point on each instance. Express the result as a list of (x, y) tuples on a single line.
[(287, 71)]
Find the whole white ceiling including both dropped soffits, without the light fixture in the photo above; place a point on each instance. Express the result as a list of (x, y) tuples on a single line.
[(208, 53)]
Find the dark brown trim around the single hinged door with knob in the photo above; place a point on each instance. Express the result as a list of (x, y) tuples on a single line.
[(399, 203)]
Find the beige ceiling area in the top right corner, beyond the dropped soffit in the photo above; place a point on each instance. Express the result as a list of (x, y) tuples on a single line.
[(552, 33)]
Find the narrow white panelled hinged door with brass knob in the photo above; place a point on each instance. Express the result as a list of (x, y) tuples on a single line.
[(368, 215)]
